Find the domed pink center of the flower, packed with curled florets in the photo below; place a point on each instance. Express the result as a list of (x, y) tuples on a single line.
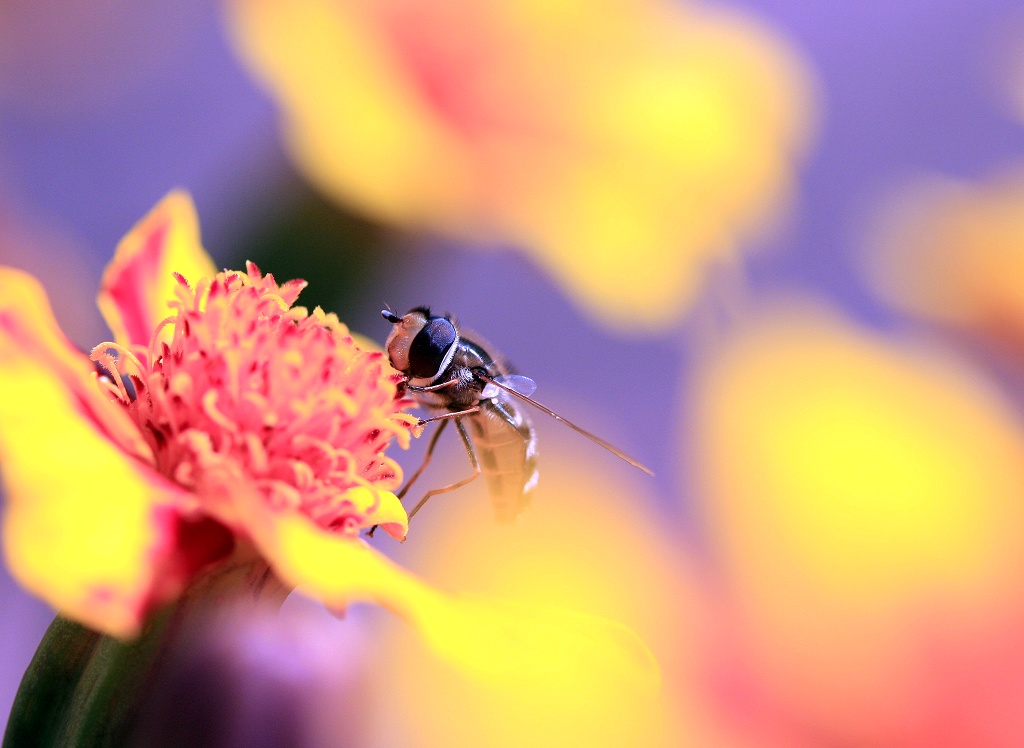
[(241, 385)]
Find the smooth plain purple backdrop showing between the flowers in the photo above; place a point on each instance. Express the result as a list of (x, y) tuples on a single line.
[(102, 113)]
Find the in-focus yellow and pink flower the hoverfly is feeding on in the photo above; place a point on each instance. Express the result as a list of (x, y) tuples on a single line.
[(232, 433)]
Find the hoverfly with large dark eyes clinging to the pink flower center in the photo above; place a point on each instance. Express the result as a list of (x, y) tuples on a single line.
[(458, 380)]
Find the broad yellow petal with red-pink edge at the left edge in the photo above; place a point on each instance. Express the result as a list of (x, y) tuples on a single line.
[(88, 528)]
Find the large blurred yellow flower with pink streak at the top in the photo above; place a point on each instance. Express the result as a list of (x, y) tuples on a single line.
[(627, 146)]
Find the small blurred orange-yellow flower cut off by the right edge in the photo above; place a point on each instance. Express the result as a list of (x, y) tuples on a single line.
[(954, 253)]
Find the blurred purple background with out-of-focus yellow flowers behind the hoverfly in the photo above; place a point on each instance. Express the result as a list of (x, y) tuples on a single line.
[(774, 251)]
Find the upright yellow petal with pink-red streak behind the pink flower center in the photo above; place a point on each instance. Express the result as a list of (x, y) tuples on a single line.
[(140, 282)]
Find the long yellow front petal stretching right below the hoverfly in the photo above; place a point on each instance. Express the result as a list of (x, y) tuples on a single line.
[(487, 640)]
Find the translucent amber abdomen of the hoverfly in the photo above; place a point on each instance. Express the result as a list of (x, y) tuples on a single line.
[(506, 447)]
